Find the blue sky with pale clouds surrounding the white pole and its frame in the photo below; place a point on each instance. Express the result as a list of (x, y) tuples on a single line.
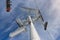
[(50, 10)]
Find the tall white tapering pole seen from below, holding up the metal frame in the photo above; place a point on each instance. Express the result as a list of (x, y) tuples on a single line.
[(33, 33)]
